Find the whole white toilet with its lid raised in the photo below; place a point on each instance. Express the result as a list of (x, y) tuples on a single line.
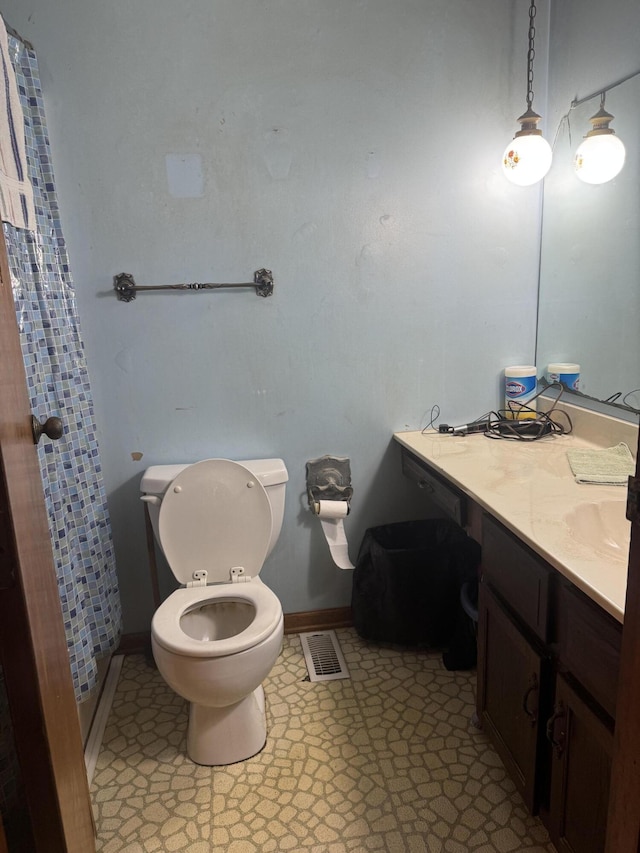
[(217, 637)]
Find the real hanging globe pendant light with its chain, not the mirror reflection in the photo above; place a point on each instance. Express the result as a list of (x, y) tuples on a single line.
[(527, 158)]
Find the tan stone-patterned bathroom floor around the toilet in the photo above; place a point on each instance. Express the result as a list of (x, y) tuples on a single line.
[(385, 761)]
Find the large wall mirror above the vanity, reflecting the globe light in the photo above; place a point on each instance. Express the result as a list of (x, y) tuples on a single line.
[(589, 295)]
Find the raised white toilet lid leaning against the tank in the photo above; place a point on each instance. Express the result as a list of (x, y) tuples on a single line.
[(215, 515)]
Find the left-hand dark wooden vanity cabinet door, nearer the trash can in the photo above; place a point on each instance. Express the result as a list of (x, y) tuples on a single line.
[(511, 675)]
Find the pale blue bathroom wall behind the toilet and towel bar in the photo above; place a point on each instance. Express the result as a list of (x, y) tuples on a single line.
[(353, 148)]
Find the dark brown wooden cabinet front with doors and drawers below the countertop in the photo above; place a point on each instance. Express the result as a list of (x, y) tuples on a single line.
[(548, 660)]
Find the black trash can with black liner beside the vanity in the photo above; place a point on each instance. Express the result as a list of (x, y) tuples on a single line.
[(407, 582)]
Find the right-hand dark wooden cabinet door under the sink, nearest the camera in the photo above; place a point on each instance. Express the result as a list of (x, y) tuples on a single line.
[(582, 748)]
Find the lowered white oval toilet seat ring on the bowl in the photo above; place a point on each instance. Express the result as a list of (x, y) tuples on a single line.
[(167, 630)]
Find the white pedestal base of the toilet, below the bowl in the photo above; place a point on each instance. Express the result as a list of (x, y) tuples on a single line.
[(226, 735)]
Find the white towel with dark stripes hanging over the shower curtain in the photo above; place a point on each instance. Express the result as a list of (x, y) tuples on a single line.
[(16, 192)]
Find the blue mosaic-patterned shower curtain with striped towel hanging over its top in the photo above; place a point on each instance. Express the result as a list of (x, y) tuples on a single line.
[(56, 369)]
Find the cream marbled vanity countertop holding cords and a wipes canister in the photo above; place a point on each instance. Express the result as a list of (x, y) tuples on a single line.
[(529, 487)]
